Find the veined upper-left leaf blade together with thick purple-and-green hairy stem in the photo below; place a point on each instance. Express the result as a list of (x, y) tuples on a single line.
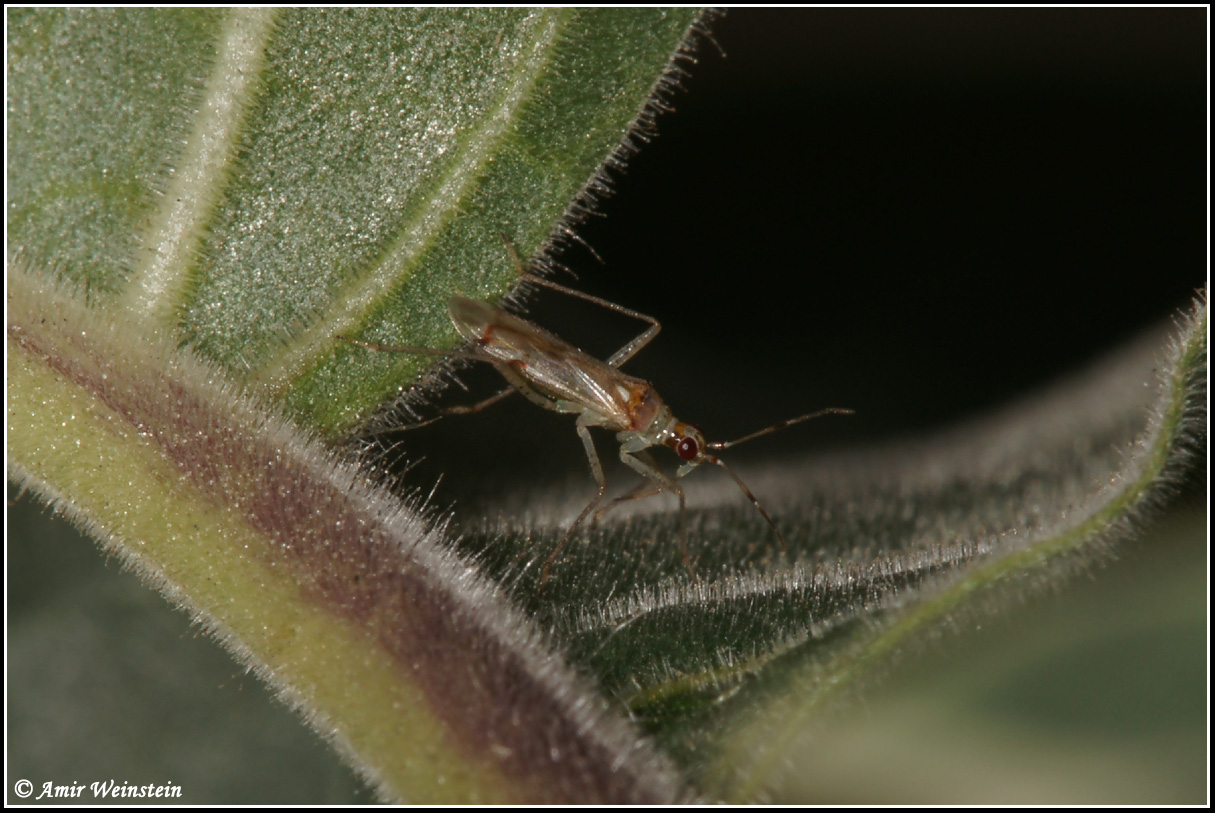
[(315, 173)]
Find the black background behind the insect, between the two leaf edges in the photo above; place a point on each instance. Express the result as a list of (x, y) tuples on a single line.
[(919, 214)]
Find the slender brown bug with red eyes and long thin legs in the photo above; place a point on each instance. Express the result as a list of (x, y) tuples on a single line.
[(557, 376)]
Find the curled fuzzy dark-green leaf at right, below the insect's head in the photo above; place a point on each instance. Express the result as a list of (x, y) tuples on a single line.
[(731, 670)]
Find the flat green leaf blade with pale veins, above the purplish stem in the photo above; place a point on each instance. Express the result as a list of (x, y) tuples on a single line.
[(301, 174)]
